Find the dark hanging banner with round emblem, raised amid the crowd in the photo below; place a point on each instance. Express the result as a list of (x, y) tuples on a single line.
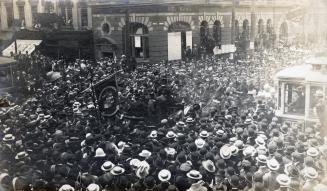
[(107, 96)]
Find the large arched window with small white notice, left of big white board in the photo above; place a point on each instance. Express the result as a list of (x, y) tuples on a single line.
[(138, 40)]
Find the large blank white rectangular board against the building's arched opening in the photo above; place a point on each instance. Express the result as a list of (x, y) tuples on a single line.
[(174, 46)]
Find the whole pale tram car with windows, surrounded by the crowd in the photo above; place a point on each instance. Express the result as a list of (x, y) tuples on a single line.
[(301, 92)]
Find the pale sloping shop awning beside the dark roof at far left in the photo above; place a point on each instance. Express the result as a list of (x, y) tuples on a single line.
[(23, 46)]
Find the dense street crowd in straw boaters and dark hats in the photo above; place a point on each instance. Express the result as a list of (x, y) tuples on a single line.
[(221, 138)]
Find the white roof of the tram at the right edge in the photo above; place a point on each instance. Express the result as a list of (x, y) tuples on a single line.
[(302, 73)]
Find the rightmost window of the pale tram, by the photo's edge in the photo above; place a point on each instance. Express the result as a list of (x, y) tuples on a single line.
[(316, 96)]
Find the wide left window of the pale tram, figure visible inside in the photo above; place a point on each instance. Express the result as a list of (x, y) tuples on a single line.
[(294, 99)]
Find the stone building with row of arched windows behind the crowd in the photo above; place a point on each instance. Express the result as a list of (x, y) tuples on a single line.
[(164, 29)]
